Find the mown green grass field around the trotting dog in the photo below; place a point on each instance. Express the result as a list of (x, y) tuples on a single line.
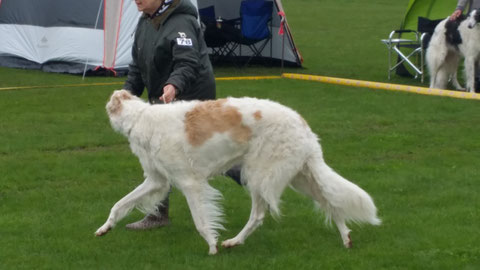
[(63, 167)]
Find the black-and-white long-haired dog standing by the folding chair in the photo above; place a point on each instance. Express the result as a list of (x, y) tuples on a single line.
[(447, 45)]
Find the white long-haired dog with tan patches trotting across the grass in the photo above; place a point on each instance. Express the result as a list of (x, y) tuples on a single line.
[(185, 143)]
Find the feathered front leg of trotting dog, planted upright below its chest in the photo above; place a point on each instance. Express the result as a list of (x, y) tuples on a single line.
[(206, 214)]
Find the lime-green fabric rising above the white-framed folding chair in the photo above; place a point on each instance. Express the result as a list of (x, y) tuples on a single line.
[(431, 9)]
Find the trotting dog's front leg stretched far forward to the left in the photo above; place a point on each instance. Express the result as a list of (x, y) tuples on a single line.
[(127, 203)]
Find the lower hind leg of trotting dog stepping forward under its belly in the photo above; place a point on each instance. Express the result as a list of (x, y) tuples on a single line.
[(257, 215)]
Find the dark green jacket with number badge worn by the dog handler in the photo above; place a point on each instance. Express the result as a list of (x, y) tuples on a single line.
[(170, 49)]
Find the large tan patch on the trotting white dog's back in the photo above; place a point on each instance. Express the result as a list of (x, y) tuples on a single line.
[(209, 117)]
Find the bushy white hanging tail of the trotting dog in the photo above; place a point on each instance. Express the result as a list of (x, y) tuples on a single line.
[(342, 200)]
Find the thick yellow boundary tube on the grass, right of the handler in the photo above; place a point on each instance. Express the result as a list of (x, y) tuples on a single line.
[(384, 86)]
